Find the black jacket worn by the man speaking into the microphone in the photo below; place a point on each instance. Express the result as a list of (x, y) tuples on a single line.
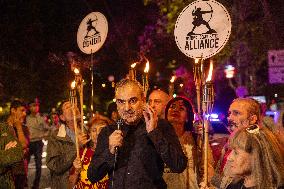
[(141, 159)]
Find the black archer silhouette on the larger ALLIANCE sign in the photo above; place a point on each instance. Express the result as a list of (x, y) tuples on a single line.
[(198, 21)]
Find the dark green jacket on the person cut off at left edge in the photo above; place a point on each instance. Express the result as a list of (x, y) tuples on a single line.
[(8, 158)]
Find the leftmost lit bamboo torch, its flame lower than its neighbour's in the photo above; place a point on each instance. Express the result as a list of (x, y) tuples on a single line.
[(73, 101)]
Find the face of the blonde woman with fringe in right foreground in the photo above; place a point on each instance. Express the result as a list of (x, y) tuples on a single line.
[(239, 162)]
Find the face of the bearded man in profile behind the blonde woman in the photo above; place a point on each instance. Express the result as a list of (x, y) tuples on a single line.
[(238, 115)]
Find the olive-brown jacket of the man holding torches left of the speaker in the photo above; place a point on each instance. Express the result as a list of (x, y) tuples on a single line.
[(61, 152)]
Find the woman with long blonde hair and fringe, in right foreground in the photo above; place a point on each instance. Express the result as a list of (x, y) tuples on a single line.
[(257, 159)]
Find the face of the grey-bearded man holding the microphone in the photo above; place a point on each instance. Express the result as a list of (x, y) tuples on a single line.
[(130, 103)]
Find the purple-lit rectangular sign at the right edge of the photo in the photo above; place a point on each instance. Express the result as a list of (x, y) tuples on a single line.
[(276, 66)]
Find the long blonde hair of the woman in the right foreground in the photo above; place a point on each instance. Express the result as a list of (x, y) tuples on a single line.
[(266, 152)]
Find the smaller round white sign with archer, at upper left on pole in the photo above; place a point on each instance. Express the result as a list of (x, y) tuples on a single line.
[(92, 32)]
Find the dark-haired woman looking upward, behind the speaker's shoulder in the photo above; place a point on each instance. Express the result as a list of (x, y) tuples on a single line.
[(180, 113)]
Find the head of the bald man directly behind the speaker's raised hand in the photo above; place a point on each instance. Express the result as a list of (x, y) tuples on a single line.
[(158, 100)]
